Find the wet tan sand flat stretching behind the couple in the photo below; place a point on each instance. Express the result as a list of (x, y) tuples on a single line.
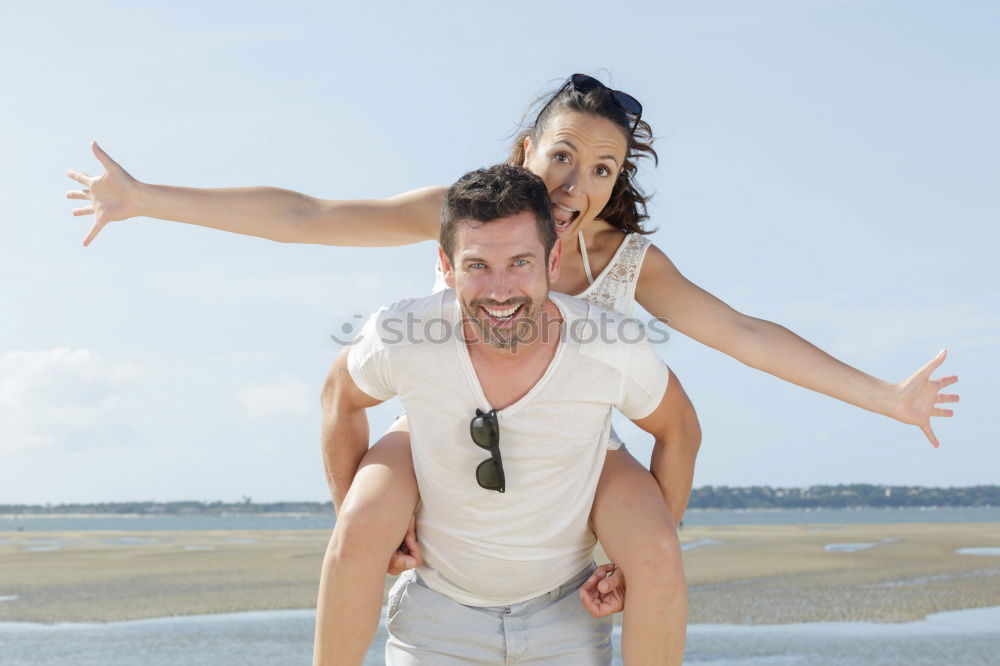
[(755, 574)]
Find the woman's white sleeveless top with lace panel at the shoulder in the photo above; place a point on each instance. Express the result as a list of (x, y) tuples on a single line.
[(614, 288)]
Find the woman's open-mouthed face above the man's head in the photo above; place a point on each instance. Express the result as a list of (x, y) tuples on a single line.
[(579, 157)]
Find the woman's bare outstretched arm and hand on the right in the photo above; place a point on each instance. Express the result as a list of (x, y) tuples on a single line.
[(767, 346)]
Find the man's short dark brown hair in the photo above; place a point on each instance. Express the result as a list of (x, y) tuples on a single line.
[(485, 195)]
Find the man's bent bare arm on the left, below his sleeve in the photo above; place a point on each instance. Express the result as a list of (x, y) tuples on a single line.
[(344, 432)]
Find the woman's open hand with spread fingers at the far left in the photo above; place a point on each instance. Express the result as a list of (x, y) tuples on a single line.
[(113, 195)]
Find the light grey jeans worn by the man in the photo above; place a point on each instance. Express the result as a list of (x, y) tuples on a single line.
[(429, 629)]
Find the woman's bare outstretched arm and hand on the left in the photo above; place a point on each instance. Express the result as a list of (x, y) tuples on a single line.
[(268, 212)]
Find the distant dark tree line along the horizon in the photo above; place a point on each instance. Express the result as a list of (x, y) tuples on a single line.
[(706, 497)]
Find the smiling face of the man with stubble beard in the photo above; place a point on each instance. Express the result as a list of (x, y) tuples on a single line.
[(501, 277)]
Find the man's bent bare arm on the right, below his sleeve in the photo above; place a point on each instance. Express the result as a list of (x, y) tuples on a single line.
[(674, 425)]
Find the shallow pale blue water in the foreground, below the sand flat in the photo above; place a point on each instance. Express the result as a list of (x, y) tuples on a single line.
[(279, 638)]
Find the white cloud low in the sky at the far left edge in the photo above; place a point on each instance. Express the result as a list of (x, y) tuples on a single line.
[(60, 396)]
